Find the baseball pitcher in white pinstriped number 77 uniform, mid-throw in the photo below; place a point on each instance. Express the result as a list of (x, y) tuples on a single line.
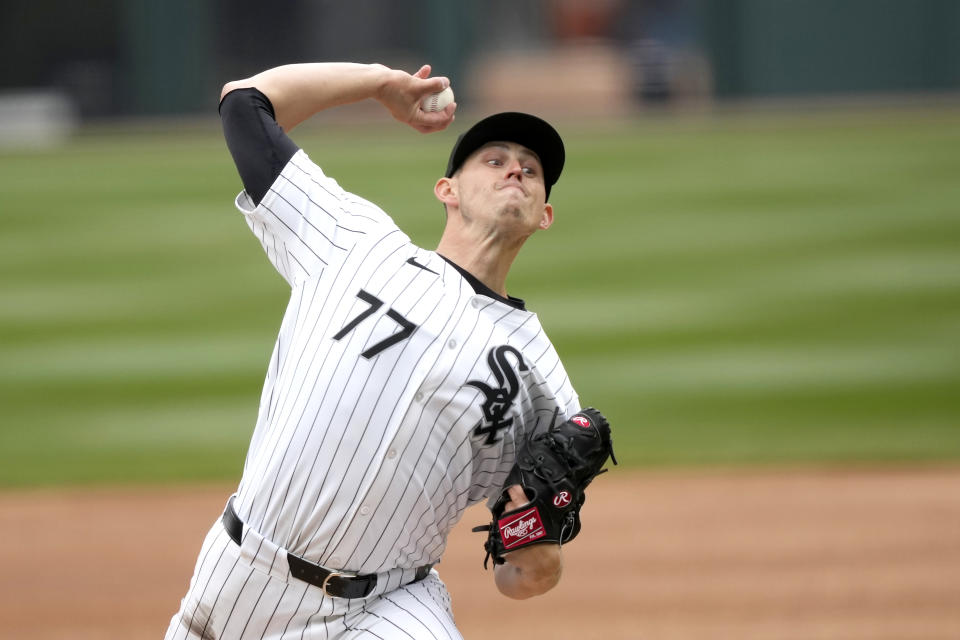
[(404, 386)]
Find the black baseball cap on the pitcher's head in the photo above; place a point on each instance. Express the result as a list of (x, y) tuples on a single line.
[(512, 126)]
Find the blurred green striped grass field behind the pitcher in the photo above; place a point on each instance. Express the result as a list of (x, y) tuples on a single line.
[(767, 289)]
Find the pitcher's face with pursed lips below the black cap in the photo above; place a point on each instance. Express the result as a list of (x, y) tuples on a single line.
[(502, 182)]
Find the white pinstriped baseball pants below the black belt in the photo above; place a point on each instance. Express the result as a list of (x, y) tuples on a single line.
[(247, 592)]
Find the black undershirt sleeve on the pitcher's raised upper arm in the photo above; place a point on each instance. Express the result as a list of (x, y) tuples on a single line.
[(259, 147)]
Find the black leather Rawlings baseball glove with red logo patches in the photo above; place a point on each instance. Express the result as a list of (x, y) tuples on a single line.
[(554, 466)]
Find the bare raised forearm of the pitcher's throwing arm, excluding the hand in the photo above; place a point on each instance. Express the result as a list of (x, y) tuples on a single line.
[(298, 91)]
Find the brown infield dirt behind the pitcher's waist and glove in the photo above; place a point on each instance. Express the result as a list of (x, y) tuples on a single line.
[(864, 554)]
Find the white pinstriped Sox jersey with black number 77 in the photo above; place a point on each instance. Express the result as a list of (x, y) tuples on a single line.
[(395, 393)]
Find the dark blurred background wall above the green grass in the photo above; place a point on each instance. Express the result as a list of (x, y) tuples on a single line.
[(139, 57)]
